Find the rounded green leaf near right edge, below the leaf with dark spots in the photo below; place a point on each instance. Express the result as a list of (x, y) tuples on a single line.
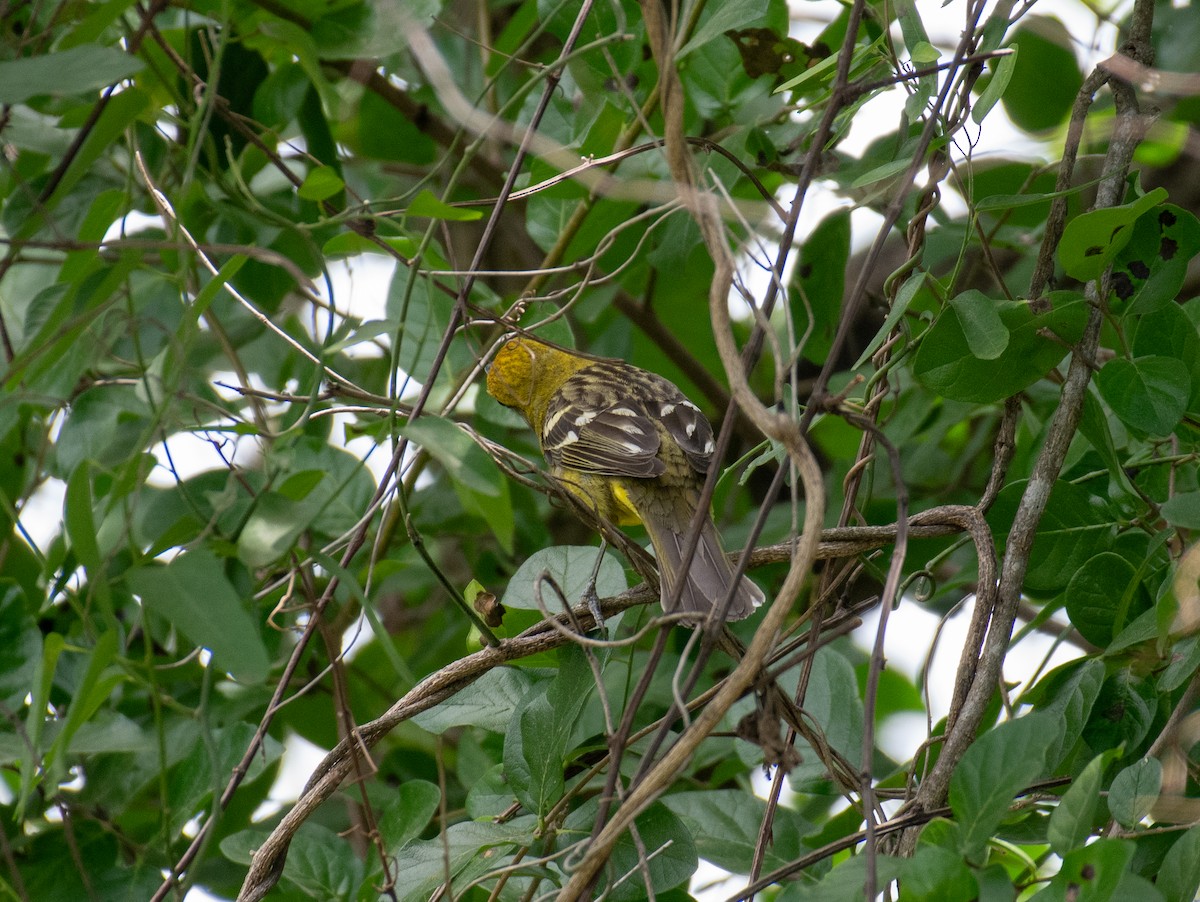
[(1149, 394)]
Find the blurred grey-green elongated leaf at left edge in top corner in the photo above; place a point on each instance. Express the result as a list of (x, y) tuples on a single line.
[(79, 70)]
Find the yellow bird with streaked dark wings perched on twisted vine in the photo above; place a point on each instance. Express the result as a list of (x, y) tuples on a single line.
[(632, 448)]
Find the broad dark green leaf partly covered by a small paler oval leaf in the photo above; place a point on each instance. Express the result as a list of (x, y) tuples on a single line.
[(947, 365)]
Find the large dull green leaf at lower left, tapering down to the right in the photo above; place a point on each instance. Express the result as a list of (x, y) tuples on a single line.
[(195, 597)]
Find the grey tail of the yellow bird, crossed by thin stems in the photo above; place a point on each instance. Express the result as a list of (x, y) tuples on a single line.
[(707, 581)]
